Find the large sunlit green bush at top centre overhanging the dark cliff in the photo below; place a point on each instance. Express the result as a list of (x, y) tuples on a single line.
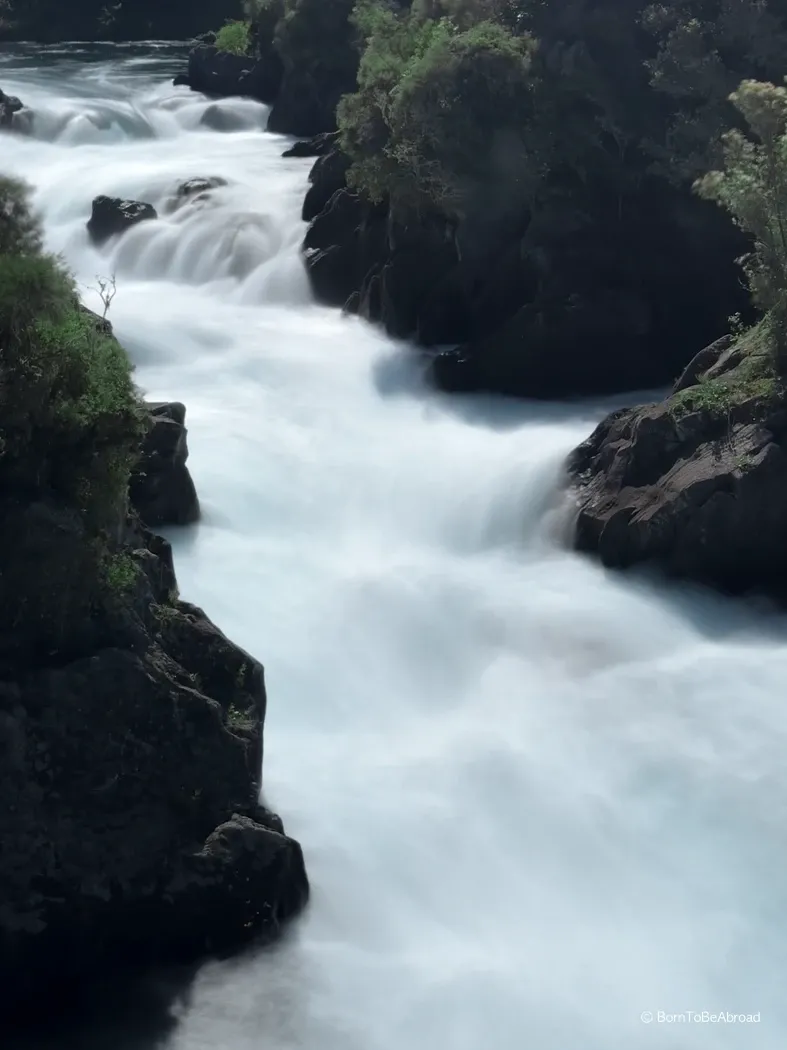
[(439, 109)]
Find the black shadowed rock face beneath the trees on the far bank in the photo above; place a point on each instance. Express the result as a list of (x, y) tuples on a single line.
[(509, 316)]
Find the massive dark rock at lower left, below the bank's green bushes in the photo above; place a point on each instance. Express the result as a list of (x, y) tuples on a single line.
[(131, 829)]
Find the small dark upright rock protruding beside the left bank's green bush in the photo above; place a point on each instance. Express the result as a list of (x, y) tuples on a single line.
[(162, 490)]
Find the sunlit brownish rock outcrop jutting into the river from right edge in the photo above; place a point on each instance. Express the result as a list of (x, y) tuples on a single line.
[(696, 485)]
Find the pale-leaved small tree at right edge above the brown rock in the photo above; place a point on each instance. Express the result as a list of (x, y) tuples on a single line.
[(753, 187)]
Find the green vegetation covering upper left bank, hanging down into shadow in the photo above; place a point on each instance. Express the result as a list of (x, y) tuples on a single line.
[(71, 430)]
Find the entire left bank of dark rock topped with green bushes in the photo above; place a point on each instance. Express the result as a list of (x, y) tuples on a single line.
[(132, 831)]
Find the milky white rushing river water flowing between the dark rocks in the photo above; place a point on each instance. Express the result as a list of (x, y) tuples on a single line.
[(538, 802)]
